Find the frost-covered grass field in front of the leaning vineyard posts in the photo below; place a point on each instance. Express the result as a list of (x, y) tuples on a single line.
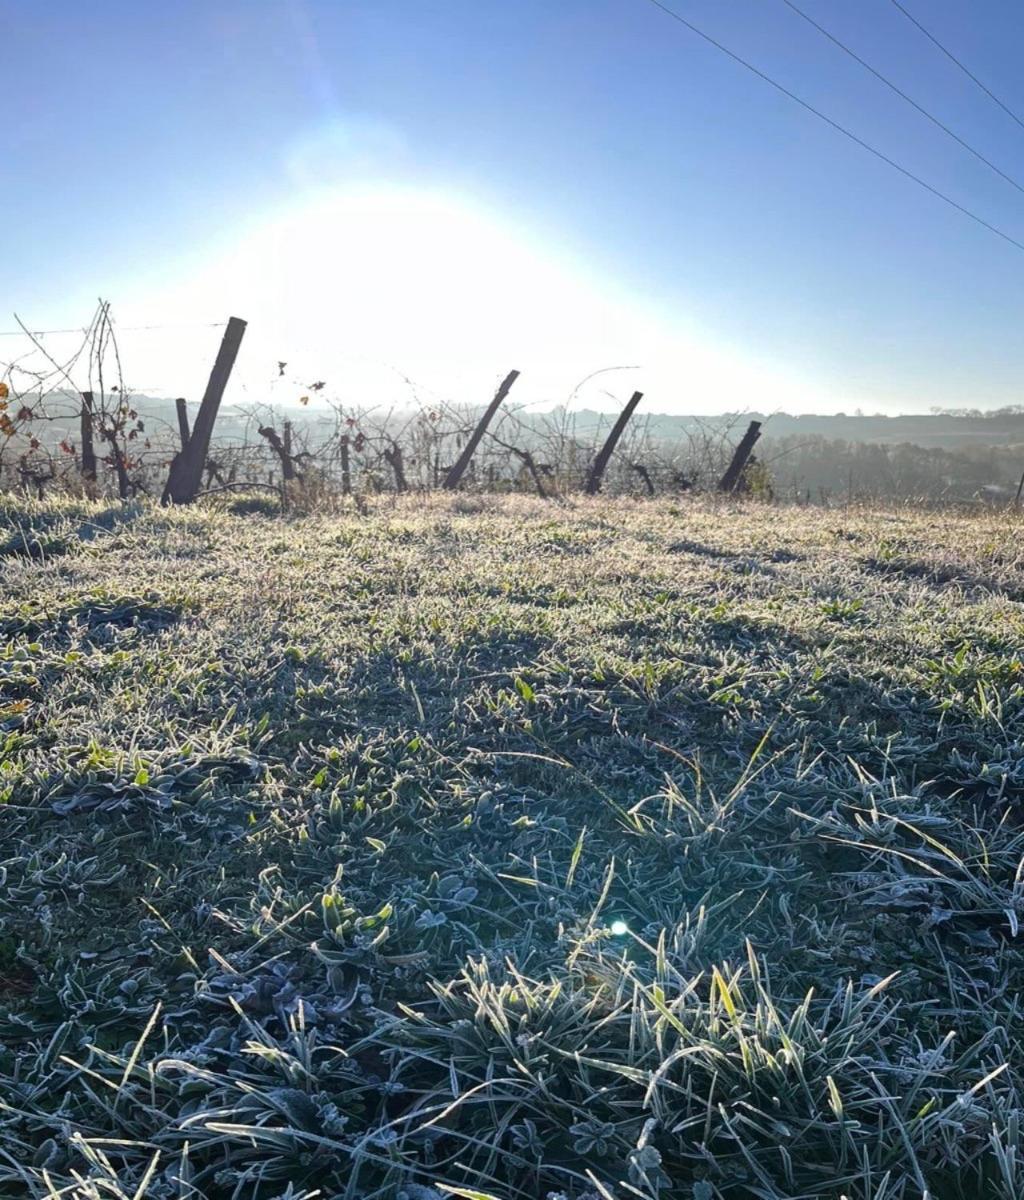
[(498, 849)]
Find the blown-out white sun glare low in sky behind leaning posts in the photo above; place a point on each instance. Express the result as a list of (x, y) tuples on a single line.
[(358, 286)]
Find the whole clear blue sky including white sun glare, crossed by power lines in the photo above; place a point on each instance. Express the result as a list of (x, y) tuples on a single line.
[(618, 177)]
